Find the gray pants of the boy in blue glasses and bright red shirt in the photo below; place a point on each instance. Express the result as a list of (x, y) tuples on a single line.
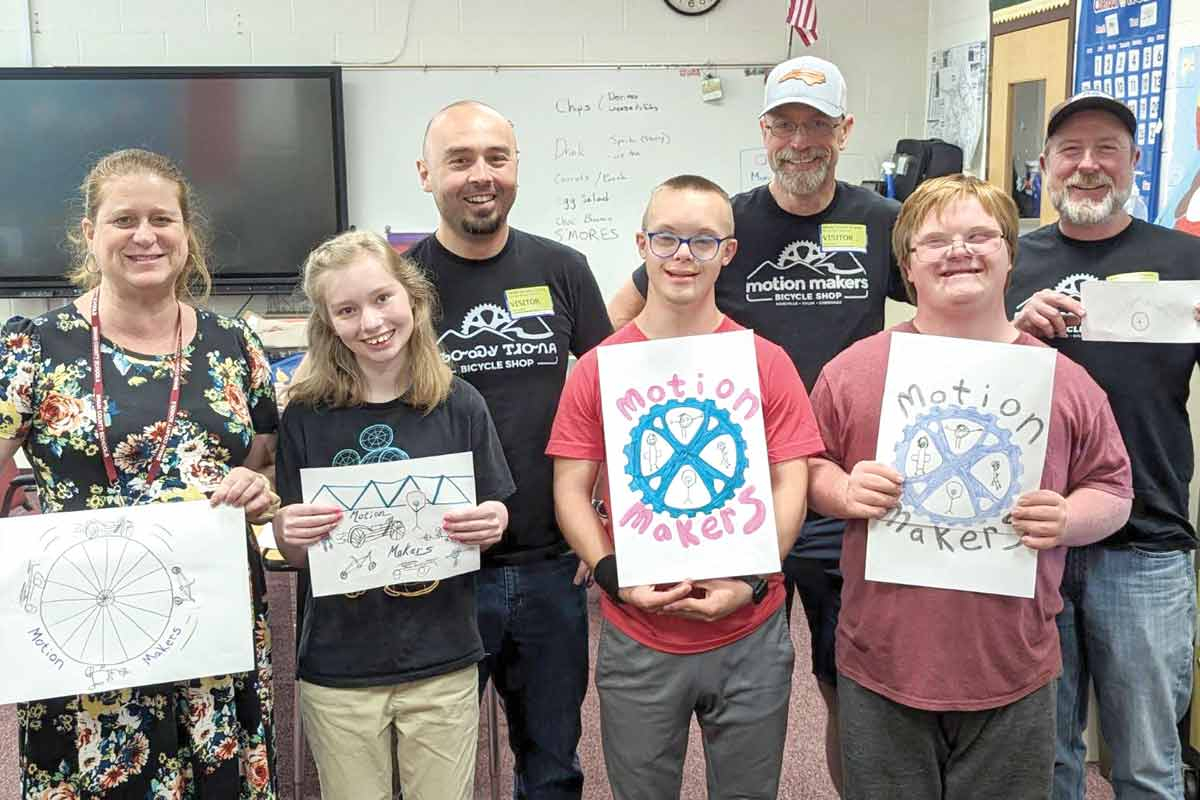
[(740, 695)]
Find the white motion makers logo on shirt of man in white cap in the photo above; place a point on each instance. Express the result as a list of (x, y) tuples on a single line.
[(806, 274)]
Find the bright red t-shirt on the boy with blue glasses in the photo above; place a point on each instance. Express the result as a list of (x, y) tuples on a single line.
[(791, 434)]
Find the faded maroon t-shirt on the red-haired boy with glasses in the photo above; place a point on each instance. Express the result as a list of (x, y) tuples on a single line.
[(940, 649)]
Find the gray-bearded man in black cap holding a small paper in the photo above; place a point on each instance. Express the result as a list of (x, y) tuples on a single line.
[(1129, 601)]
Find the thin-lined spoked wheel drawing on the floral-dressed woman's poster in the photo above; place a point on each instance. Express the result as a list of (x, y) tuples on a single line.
[(107, 600)]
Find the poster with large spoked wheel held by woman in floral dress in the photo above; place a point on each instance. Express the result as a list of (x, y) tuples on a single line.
[(95, 601)]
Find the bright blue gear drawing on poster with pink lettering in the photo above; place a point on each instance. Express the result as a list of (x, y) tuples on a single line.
[(686, 458)]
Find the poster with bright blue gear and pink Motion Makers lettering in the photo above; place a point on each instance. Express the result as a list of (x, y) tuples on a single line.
[(688, 472)]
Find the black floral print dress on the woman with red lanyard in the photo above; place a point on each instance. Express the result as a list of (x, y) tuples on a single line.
[(207, 738)]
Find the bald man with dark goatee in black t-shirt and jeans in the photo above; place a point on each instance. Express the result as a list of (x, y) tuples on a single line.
[(515, 308)]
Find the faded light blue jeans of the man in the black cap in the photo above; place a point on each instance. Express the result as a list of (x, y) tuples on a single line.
[(1127, 622)]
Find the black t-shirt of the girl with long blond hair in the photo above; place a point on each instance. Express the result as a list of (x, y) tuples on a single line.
[(377, 639)]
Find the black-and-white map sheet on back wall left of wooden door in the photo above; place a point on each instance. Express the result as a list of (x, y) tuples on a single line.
[(958, 77)]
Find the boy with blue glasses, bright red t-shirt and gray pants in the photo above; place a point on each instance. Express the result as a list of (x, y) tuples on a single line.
[(719, 648)]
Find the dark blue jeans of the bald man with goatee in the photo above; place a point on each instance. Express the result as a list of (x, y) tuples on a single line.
[(535, 623)]
